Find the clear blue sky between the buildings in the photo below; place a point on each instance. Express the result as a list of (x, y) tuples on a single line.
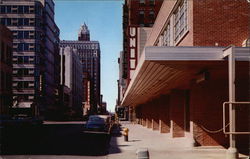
[(104, 20)]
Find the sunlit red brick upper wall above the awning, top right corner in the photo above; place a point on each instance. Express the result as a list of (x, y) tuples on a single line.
[(222, 22)]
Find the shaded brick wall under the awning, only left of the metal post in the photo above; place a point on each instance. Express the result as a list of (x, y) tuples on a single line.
[(206, 99)]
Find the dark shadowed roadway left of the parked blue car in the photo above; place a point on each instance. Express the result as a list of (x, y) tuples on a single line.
[(52, 139)]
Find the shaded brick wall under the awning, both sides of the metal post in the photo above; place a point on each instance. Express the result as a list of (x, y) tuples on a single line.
[(206, 99)]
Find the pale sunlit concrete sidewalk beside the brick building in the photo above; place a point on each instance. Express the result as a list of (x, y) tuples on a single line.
[(160, 146)]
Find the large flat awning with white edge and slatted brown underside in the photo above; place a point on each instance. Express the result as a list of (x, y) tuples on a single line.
[(161, 69)]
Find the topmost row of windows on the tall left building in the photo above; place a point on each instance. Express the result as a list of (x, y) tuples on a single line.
[(20, 9)]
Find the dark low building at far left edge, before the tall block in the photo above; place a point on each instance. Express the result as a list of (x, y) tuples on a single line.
[(5, 70)]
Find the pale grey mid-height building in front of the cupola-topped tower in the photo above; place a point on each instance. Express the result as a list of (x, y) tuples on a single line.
[(71, 77)]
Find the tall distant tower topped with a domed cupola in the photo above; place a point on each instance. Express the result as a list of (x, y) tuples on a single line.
[(89, 53)]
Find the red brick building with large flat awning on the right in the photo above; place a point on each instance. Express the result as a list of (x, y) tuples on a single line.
[(185, 73)]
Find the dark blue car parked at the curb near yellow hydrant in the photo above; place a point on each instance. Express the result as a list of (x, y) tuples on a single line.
[(98, 123)]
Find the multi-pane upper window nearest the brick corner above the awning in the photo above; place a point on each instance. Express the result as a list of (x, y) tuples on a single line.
[(180, 20)]
